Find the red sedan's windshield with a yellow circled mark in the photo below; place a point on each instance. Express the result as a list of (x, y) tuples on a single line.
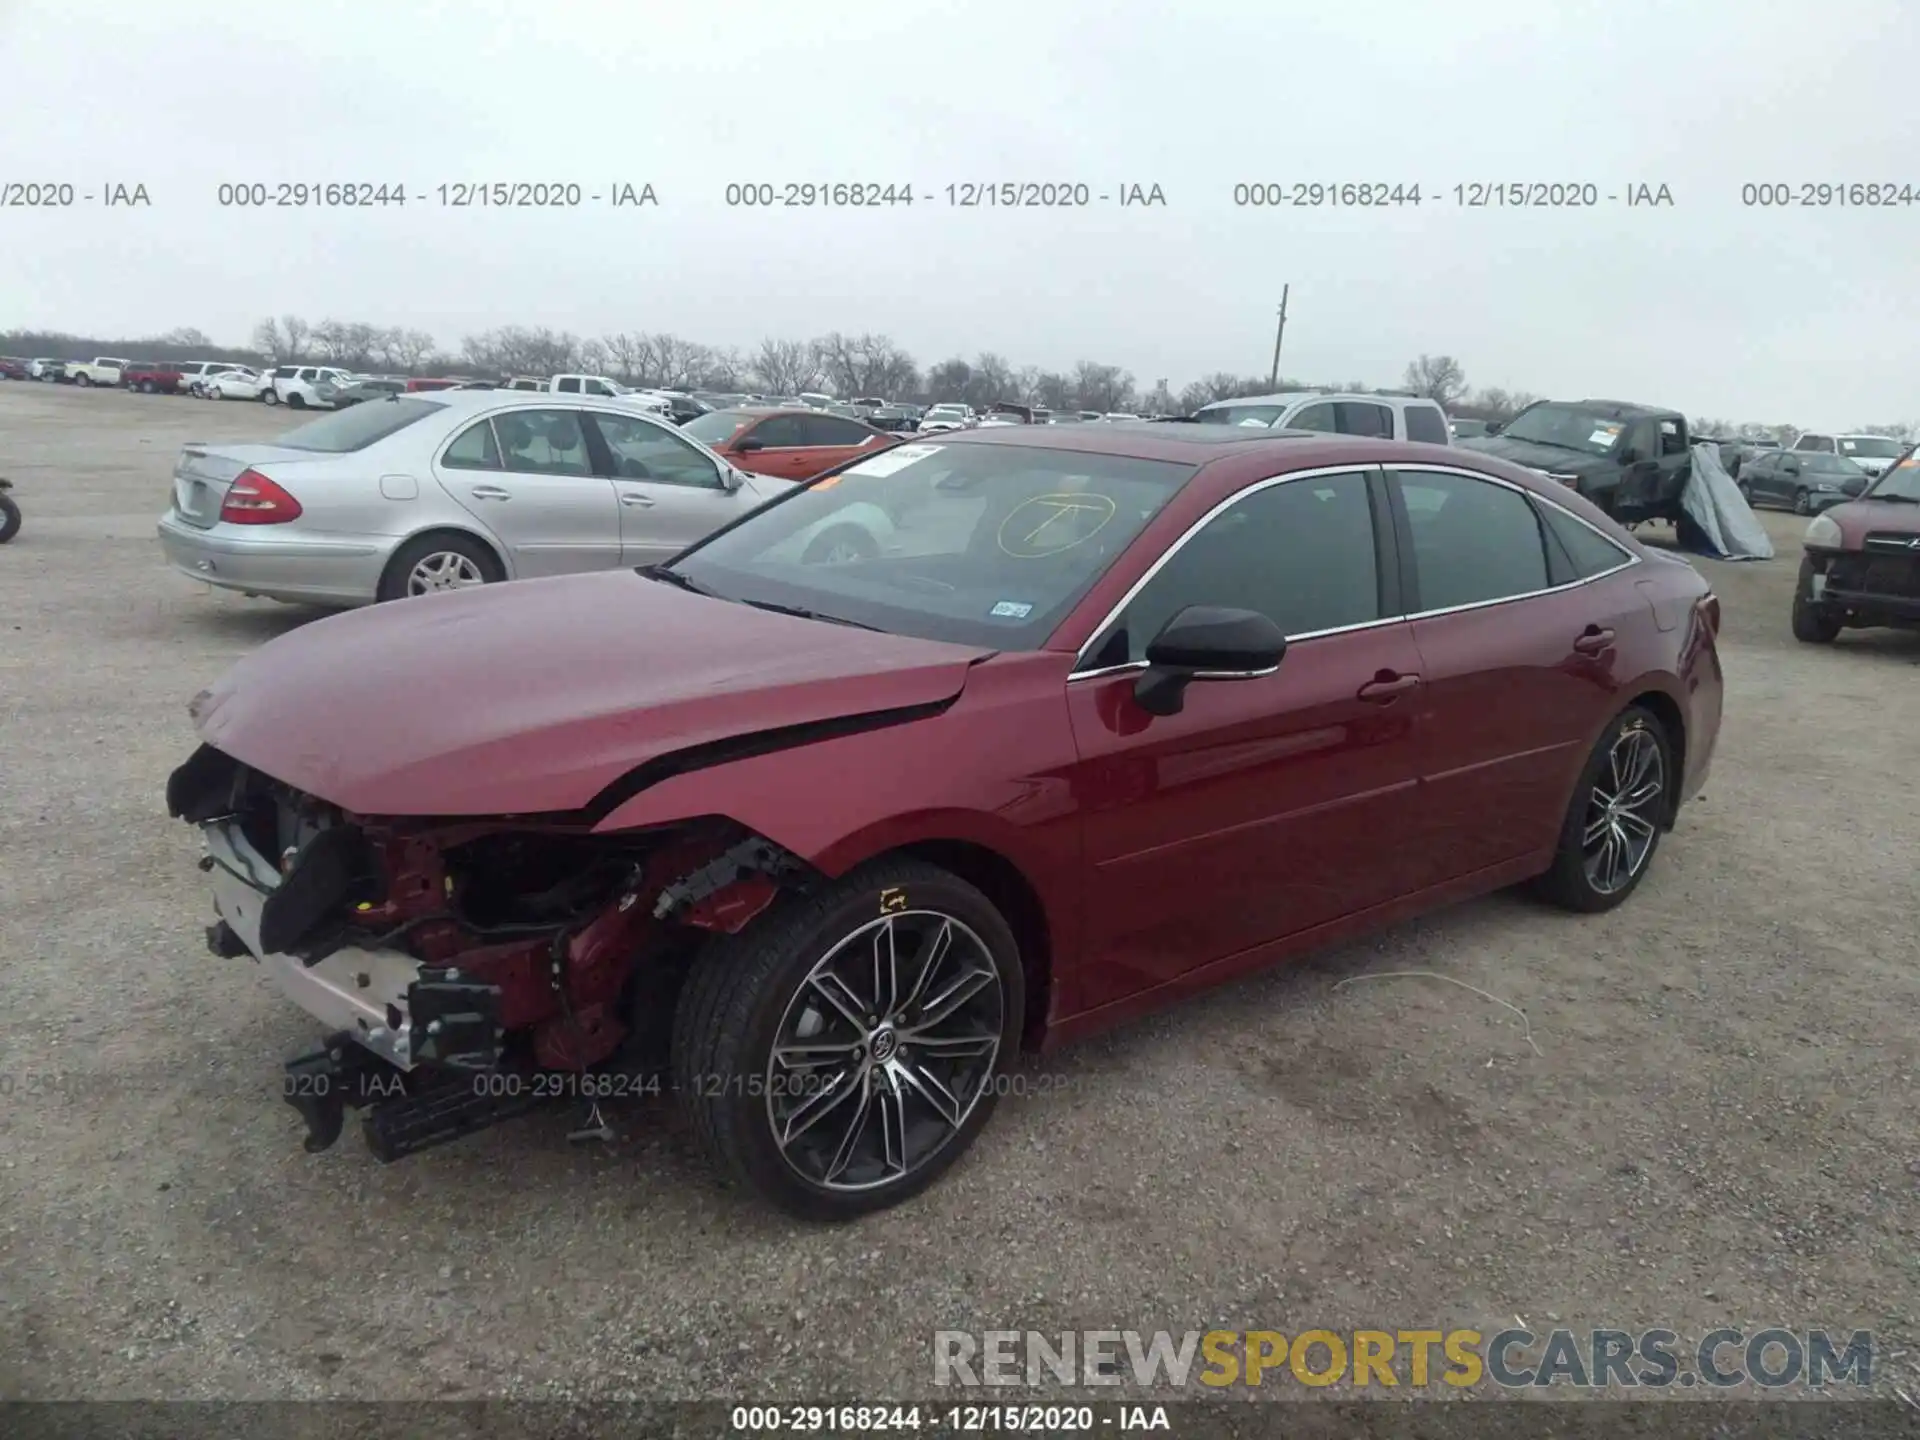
[(971, 544)]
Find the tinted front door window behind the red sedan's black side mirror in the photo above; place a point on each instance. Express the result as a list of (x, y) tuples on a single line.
[(1301, 554)]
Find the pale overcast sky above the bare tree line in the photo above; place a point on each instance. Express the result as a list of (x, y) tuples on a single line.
[(1790, 316)]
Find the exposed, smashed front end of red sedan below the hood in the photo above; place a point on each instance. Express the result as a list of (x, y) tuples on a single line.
[(446, 953)]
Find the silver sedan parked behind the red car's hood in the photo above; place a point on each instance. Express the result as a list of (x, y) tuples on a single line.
[(448, 489)]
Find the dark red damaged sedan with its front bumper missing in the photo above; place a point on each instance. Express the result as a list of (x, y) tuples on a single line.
[(1107, 715)]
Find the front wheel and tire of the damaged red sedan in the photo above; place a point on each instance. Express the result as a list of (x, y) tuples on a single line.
[(846, 1051)]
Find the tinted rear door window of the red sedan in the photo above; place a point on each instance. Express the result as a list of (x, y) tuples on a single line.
[(1472, 540)]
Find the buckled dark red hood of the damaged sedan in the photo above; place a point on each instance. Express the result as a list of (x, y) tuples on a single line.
[(535, 696)]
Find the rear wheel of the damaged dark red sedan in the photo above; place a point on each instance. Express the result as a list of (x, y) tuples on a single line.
[(1616, 819)]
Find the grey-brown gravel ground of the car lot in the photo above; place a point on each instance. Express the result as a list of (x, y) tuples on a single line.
[(1717, 1132)]
